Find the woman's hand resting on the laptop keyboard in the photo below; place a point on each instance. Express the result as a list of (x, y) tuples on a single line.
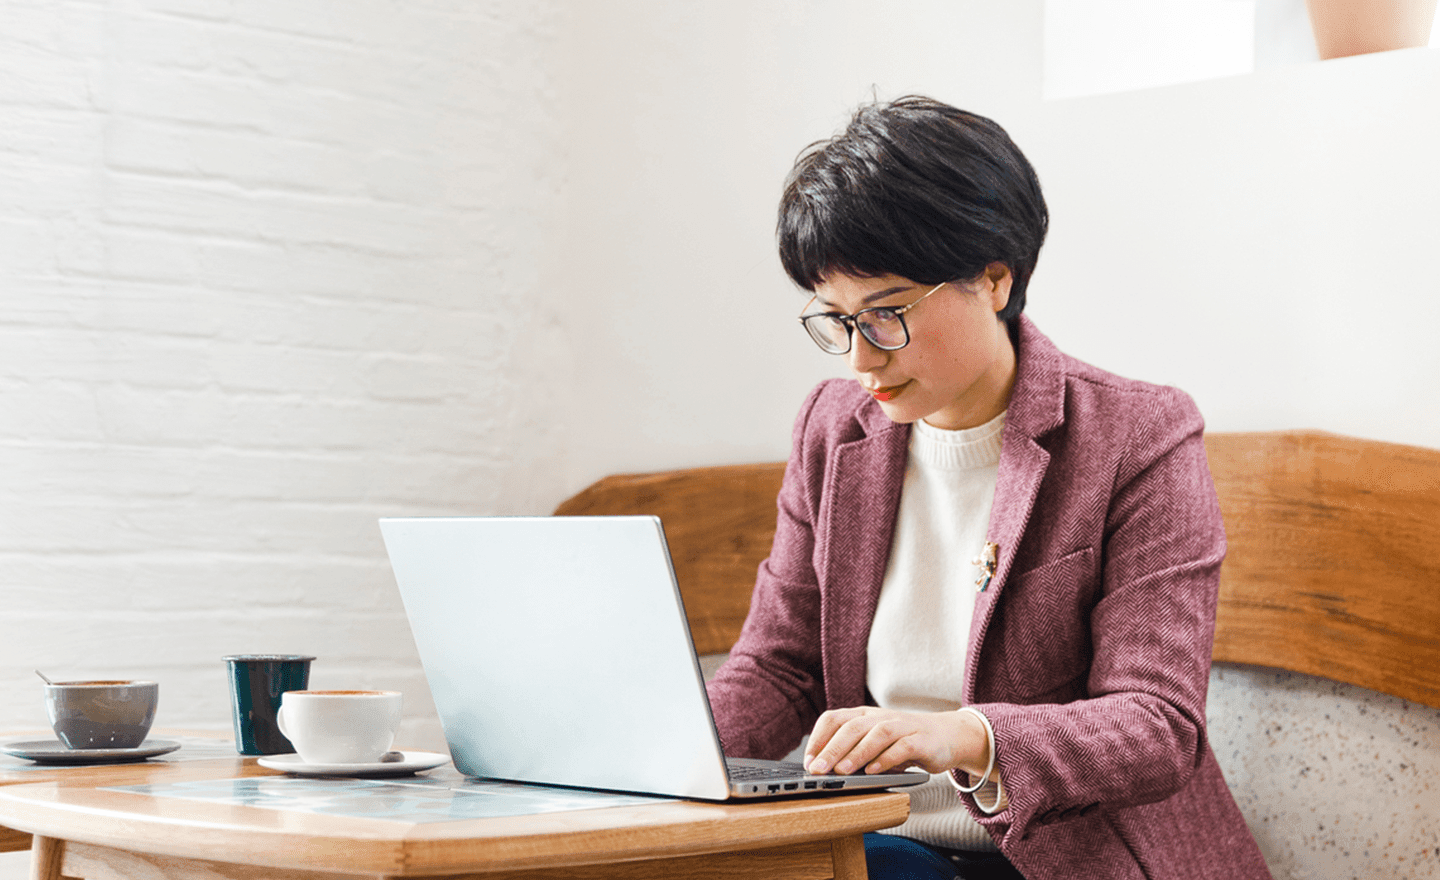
[(882, 740)]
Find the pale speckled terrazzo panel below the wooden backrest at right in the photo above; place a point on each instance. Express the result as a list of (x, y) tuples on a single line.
[(1337, 783)]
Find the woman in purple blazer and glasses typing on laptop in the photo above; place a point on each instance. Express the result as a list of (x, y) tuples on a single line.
[(993, 562)]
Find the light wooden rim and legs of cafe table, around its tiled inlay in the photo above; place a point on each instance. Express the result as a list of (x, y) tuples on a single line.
[(83, 830)]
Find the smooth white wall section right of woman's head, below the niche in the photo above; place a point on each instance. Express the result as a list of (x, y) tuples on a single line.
[(1266, 243)]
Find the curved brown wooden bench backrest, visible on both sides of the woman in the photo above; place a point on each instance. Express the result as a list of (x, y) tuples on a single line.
[(1333, 570)]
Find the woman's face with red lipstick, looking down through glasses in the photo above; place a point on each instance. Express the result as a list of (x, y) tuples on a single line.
[(960, 367)]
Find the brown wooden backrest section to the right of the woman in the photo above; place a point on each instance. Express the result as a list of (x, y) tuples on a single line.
[(1334, 560)]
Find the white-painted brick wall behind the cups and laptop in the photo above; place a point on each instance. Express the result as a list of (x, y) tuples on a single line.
[(267, 273)]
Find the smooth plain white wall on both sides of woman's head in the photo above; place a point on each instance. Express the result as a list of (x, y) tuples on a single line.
[(1261, 241)]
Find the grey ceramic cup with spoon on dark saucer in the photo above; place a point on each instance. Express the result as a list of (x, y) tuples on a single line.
[(102, 715)]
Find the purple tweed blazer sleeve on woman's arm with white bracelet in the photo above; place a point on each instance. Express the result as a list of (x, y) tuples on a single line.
[(1138, 732)]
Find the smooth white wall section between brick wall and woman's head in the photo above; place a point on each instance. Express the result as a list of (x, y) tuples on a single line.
[(690, 117)]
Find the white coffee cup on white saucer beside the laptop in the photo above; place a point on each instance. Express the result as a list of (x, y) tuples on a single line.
[(341, 727)]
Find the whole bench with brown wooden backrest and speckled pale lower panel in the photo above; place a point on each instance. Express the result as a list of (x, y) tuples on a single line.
[(1330, 611)]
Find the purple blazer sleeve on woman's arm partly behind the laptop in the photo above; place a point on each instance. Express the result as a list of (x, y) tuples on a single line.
[(770, 692)]
